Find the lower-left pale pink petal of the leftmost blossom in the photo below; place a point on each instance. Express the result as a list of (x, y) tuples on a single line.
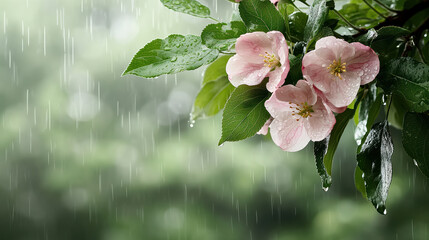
[(242, 72)]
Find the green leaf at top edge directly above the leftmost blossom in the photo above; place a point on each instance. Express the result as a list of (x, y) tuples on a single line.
[(261, 15)]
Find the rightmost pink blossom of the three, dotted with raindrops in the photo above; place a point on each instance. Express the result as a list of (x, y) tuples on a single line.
[(337, 68)]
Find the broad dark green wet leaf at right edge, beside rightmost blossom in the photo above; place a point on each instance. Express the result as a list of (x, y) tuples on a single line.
[(408, 79)]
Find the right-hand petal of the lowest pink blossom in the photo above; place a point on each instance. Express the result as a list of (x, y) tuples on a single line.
[(321, 122)]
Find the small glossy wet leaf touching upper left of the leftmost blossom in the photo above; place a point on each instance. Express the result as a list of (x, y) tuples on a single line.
[(222, 36)]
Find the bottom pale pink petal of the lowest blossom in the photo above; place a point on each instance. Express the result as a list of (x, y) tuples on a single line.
[(289, 134)]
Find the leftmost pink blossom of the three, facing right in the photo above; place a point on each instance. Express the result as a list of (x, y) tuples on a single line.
[(259, 55)]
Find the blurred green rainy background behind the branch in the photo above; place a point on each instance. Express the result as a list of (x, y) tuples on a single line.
[(88, 154)]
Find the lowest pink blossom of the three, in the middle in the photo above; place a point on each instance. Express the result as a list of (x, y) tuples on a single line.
[(299, 116)]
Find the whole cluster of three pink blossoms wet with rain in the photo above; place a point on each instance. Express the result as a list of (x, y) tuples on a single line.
[(333, 73)]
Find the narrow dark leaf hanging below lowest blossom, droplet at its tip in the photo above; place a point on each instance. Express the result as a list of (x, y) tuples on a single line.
[(320, 150)]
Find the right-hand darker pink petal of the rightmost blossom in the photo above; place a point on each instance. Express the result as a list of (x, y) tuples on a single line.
[(366, 61)]
